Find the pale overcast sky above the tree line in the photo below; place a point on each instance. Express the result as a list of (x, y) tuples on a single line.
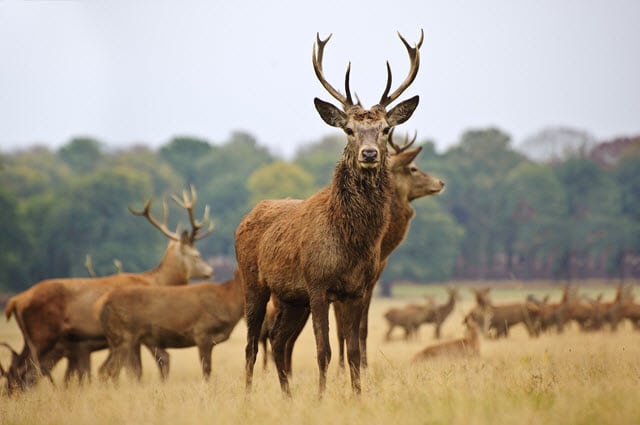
[(145, 71)]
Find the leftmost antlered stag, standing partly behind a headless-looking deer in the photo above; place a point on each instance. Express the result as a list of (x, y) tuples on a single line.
[(56, 315)]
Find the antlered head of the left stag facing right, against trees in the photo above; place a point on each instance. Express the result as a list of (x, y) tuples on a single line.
[(183, 243)]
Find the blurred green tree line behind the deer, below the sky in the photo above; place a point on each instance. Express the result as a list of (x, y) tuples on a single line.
[(503, 214)]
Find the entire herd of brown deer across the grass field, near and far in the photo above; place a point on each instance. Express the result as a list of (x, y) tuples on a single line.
[(294, 259)]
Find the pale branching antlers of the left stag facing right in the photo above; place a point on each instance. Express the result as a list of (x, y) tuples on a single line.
[(186, 203)]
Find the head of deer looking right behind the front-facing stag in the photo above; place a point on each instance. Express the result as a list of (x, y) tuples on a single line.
[(409, 180)]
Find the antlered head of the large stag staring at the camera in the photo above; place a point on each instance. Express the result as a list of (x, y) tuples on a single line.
[(367, 130)]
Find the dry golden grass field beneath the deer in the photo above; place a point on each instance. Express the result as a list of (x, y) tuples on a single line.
[(573, 378)]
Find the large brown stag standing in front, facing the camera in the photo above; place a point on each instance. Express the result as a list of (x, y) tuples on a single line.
[(309, 253)]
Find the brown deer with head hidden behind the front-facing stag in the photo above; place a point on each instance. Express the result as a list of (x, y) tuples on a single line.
[(199, 314)]
